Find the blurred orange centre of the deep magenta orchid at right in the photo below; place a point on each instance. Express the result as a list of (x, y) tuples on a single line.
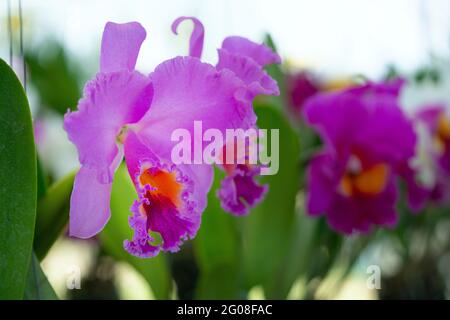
[(368, 182)]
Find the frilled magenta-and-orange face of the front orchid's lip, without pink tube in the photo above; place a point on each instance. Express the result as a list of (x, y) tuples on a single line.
[(165, 209)]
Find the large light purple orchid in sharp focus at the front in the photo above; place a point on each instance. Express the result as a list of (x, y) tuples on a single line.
[(124, 113)]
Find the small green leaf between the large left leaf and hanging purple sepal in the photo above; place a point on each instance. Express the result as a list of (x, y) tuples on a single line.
[(52, 214)]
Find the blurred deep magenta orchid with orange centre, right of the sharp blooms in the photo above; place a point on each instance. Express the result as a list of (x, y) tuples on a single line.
[(367, 139)]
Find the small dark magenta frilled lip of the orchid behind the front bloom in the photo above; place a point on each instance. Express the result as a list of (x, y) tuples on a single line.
[(240, 191)]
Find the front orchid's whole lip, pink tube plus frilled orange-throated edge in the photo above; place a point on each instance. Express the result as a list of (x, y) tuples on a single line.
[(171, 199)]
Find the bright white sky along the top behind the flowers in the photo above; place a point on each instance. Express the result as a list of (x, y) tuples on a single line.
[(334, 37)]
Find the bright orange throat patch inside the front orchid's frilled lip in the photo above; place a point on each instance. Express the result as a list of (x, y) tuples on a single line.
[(165, 184)]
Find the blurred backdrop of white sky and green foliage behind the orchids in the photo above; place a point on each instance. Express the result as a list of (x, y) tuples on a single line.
[(337, 41)]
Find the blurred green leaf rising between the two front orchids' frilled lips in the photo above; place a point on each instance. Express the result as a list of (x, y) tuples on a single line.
[(218, 250)]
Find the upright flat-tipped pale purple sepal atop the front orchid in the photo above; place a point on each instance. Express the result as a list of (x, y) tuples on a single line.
[(120, 46)]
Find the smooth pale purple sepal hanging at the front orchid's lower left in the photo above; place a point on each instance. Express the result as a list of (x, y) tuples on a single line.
[(89, 204)]
